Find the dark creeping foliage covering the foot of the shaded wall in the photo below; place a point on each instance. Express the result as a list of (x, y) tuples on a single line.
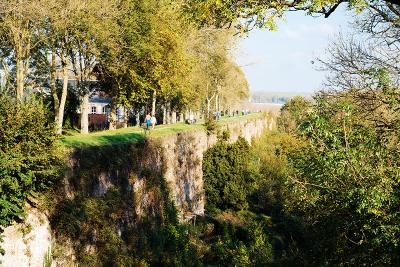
[(98, 222)]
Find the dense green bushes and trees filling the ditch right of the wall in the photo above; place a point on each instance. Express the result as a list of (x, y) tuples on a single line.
[(325, 185)]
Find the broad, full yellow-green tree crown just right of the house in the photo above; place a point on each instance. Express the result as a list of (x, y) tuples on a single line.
[(147, 61)]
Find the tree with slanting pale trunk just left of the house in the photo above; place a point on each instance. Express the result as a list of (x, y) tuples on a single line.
[(51, 58)]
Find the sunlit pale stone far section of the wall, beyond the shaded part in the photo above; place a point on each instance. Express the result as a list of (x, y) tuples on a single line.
[(183, 159)]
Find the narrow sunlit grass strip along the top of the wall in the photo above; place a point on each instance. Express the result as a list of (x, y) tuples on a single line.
[(135, 134)]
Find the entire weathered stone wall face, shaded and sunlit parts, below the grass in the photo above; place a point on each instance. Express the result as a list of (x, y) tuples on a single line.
[(146, 176)]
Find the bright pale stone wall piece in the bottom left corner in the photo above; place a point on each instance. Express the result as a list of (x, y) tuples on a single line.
[(28, 243)]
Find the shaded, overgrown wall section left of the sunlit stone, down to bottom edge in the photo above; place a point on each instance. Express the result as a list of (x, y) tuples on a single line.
[(114, 209)]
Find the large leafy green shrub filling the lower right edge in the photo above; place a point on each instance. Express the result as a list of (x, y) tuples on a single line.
[(347, 180)]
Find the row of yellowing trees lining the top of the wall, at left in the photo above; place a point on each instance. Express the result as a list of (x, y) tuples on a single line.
[(134, 52)]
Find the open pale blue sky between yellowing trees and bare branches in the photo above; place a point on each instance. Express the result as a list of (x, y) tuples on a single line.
[(282, 61)]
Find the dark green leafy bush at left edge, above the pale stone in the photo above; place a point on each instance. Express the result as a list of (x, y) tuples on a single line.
[(29, 157)]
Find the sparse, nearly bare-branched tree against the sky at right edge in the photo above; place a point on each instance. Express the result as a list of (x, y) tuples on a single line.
[(366, 70)]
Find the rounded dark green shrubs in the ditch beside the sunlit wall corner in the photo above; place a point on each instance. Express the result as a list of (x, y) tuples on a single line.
[(245, 193)]
